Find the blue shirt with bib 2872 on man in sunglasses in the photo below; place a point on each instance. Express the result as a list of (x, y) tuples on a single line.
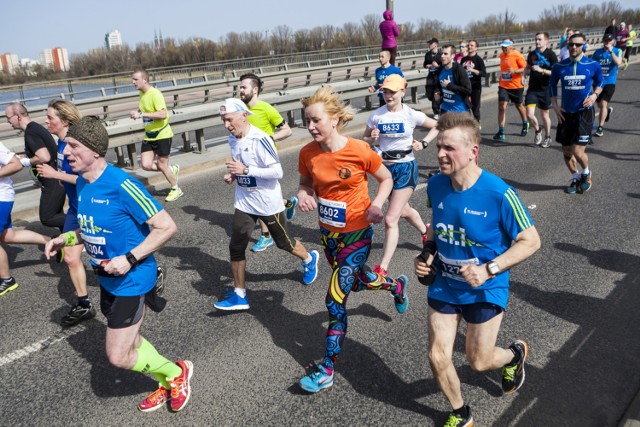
[(577, 79)]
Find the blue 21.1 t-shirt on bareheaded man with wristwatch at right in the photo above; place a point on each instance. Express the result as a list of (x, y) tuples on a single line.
[(473, 226)]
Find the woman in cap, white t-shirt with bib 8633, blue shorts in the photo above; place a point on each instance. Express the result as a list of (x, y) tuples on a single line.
[(392, 127)]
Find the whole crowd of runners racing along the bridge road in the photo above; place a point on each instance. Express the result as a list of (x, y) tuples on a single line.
[(467, 253)]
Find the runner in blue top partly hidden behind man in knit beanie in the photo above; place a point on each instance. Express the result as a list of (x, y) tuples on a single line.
[(60, 115)]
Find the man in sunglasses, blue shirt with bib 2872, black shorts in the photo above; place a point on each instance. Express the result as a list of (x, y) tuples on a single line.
[(577, 75)]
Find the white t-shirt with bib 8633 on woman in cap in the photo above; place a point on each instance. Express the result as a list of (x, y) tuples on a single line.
[(396, 129)]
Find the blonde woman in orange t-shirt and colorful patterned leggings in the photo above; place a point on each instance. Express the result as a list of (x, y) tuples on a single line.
[(334, 168)]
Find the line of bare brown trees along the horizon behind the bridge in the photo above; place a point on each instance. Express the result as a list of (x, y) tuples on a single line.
[(284, 40)]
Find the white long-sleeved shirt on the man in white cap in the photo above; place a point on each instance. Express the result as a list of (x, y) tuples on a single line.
[(257, 195)]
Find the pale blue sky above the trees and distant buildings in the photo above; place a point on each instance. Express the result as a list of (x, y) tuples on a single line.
[(29, 26)]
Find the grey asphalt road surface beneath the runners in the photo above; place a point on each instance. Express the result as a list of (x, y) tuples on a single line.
[(575, 302)]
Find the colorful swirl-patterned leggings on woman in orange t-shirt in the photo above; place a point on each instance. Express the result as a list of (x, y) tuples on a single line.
[(347, 254)]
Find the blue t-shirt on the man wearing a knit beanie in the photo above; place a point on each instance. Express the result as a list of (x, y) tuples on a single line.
[(112, 213)]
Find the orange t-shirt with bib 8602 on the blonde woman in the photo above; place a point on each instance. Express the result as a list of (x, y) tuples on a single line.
[(340, 183)]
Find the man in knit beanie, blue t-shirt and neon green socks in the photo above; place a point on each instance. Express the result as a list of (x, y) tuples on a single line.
[(121, 226)]
